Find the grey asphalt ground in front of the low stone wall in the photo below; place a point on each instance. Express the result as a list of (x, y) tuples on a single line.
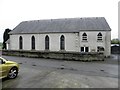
[(50, 73)]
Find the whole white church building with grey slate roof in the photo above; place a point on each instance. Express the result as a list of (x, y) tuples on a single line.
[(90, 34)]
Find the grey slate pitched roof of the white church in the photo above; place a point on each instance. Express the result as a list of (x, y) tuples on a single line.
[(61, 25)]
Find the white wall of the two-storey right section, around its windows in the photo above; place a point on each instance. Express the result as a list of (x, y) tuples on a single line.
[(92, 42)]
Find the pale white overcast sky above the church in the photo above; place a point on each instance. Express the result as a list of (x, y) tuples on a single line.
[(12, 12)]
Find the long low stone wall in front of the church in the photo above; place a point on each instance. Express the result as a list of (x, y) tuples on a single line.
[(94, 56)]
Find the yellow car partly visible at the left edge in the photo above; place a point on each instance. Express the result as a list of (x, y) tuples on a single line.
[(8, 68)]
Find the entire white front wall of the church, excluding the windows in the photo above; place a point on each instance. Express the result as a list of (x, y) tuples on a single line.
[(73, 41)]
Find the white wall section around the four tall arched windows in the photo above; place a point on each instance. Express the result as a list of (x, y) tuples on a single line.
[(40, 41)]
